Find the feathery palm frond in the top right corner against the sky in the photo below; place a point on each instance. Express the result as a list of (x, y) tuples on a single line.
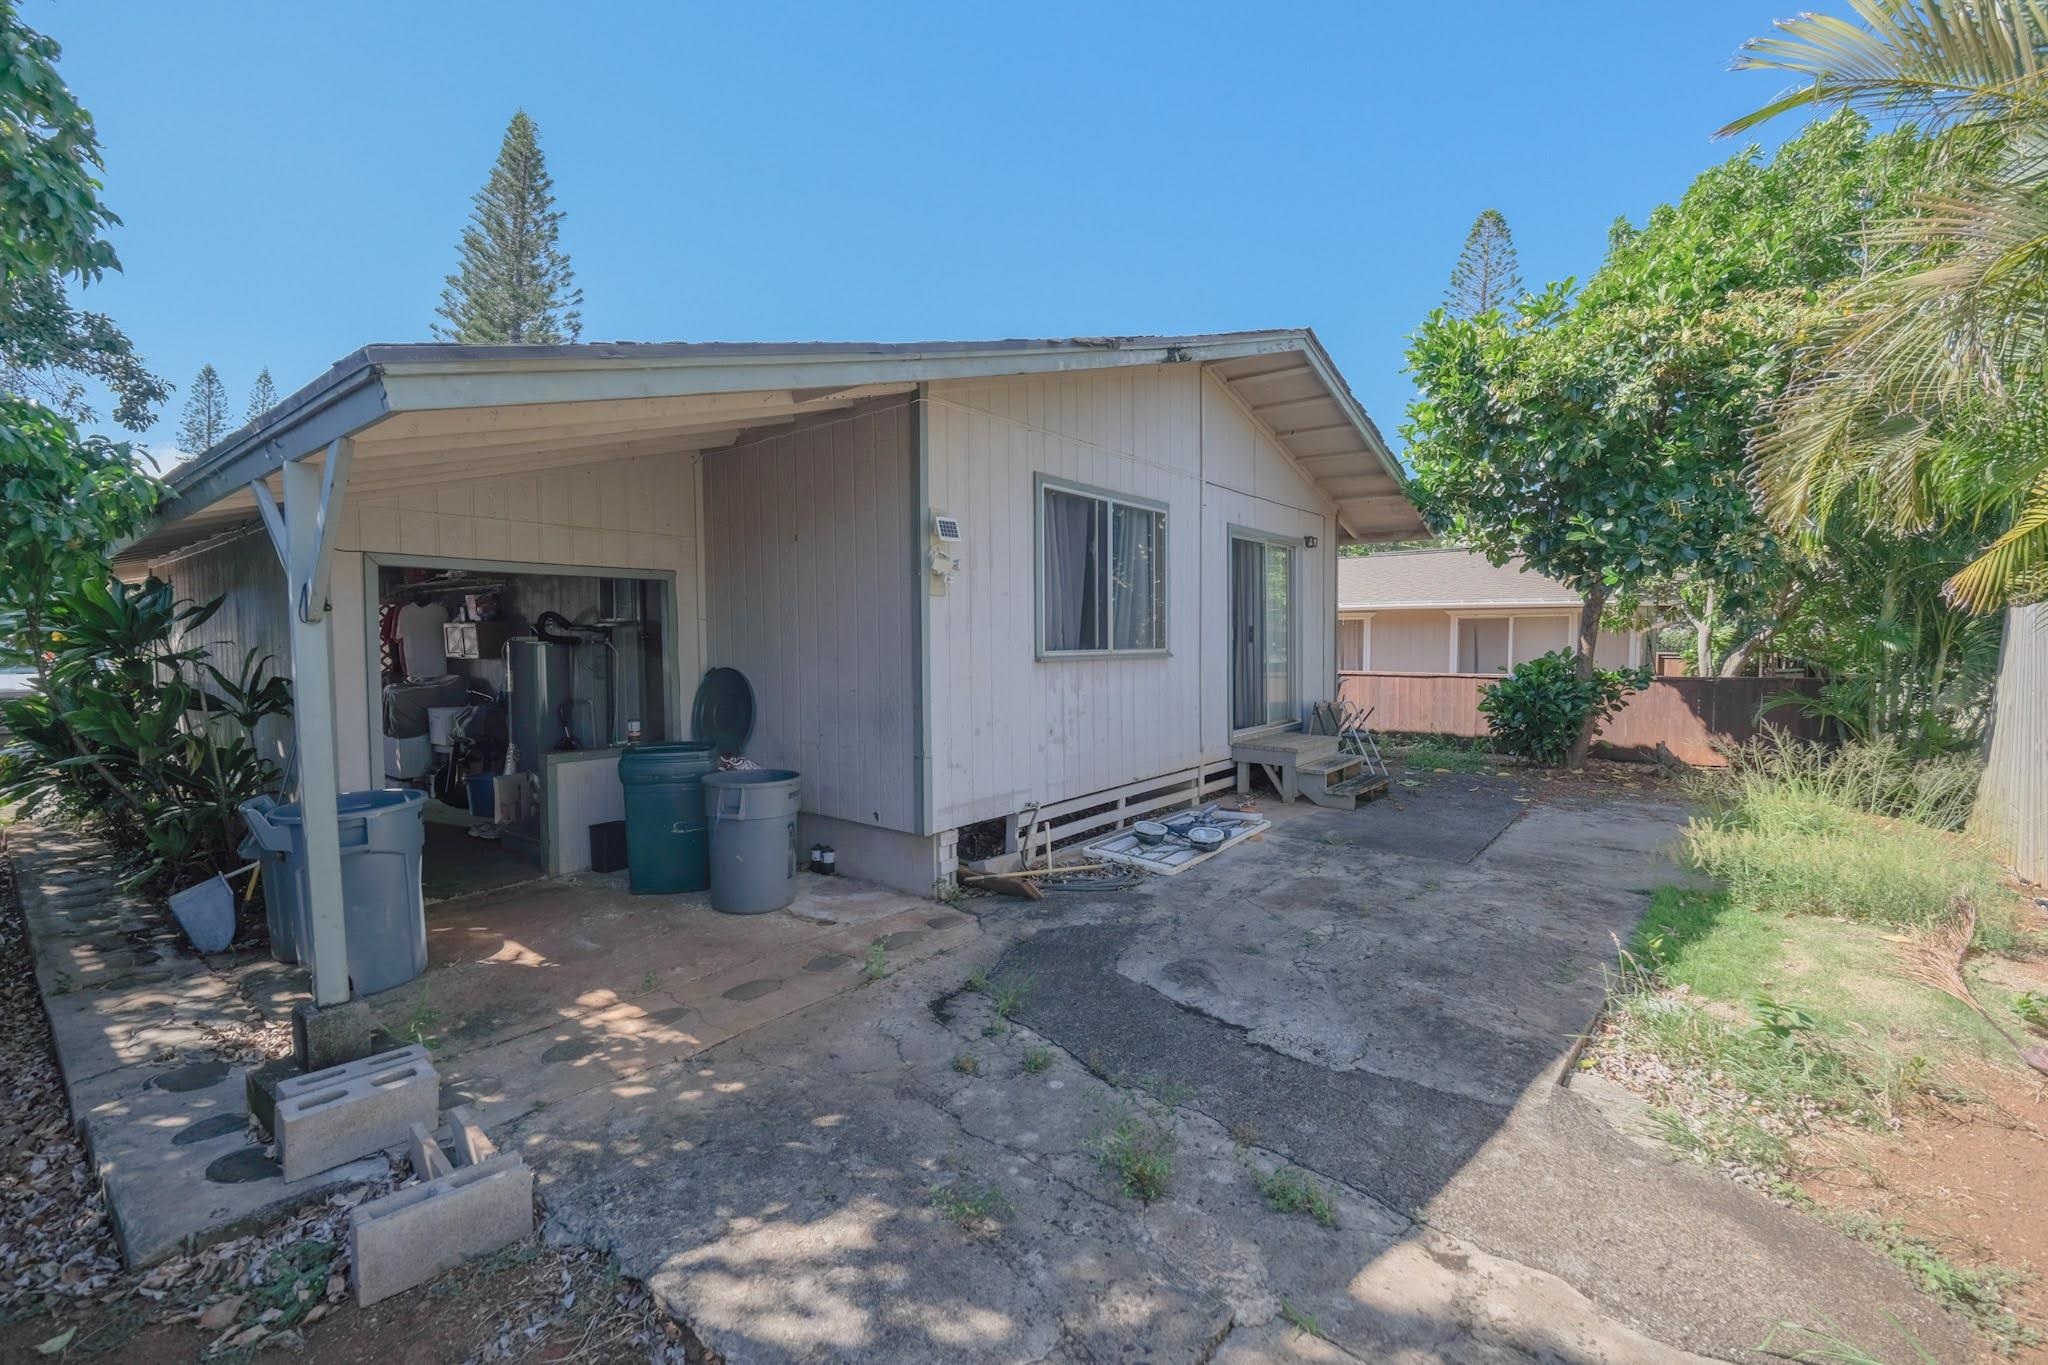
[(1926, 60)]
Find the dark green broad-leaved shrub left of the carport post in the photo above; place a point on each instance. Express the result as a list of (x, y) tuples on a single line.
[(148, 742)]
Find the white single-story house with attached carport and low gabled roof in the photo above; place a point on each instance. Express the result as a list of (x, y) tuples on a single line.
[(970, 582)]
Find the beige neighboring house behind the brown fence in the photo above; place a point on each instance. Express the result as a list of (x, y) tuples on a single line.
[(1453, 613)]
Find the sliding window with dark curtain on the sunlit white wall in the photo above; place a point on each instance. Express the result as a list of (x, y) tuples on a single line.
[(1103, 574)]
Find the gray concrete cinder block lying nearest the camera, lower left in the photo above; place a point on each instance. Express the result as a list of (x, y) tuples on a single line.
[(427, 1229)]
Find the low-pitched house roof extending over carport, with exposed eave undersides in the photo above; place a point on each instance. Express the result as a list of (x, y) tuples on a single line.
[(429, 414)]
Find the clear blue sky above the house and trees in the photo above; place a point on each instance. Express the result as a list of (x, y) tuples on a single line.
[(294, 177)]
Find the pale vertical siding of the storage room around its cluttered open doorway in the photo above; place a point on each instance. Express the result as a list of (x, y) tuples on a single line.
[(626, 515)]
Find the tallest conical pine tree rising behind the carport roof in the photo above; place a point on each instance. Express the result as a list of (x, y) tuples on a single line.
[(515, 285)]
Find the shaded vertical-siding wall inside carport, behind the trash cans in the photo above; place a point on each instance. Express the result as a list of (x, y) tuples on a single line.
[(810, 578)]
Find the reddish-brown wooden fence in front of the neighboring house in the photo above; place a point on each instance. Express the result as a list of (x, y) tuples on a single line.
[(1687, 715)]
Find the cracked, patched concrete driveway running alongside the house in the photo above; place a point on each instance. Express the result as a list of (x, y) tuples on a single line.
[(1379, 1000)]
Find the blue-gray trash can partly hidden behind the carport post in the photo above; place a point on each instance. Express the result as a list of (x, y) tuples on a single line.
[(382, 904)]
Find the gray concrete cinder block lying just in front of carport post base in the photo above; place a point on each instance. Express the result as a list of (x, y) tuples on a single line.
[(345, 1112)]
